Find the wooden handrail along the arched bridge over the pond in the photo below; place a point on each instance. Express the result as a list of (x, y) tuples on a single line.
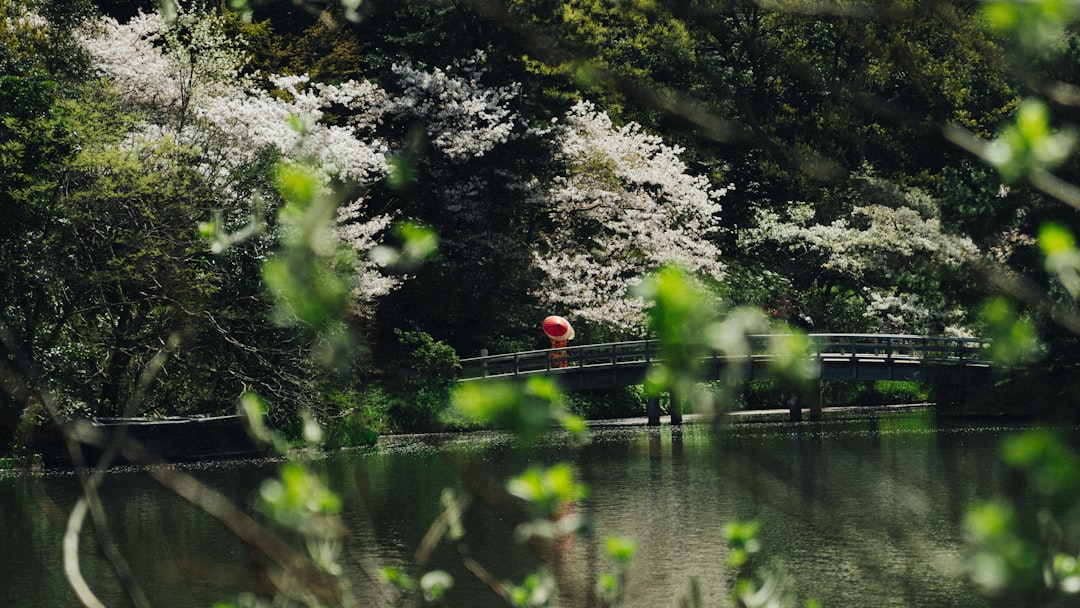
[(852, 347)]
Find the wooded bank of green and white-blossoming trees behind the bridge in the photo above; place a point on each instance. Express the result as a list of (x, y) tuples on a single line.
[(796, 158)]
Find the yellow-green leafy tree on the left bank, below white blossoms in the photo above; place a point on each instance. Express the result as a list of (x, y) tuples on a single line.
[(118, 240)]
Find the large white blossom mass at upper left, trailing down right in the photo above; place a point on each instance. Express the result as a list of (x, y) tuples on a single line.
[(231, 123)]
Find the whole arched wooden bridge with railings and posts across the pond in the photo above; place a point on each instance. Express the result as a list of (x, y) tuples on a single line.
[(839, 357)]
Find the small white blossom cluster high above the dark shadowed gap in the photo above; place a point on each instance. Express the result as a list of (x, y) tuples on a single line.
[(464, 118)]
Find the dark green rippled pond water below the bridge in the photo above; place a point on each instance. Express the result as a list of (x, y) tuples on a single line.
[(858, 512)]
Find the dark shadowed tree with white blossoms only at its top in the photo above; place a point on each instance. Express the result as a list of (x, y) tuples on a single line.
[(463, 156)]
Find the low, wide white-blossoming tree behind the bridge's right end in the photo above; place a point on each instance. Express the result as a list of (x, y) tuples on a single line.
[(875, 248)]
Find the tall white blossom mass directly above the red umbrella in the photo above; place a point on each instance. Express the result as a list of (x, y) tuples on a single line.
[(624, 207)]
